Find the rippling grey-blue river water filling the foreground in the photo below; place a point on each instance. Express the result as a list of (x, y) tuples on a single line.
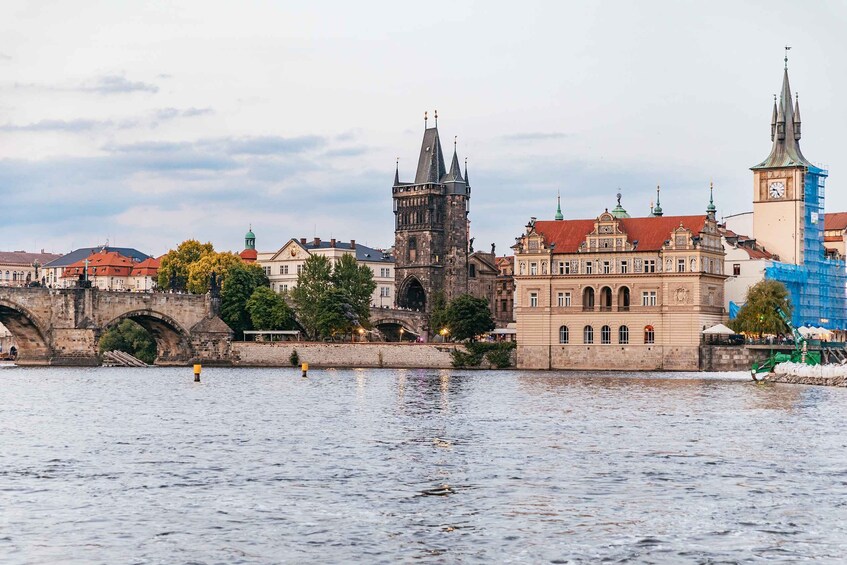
[(384, 466)]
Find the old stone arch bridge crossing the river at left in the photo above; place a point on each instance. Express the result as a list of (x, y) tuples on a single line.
[(63, 326)]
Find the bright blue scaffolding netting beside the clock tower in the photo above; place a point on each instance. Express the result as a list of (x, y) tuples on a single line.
[(818, 286)]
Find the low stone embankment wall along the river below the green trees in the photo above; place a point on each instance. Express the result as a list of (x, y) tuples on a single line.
[(394, 355)]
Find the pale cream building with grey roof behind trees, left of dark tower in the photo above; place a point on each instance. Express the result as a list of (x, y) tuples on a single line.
[(283, 266)]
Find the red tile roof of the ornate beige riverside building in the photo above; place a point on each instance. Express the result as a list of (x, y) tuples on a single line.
[(650, 233)]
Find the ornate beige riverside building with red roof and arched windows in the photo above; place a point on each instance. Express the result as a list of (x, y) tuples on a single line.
[(617, 292)]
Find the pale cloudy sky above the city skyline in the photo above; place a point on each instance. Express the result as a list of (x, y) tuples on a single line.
[(143, 124)]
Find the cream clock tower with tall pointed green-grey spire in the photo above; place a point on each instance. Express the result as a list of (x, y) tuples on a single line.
[(787, 211)]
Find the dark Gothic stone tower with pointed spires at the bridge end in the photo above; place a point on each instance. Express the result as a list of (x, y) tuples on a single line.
[(431, 227)]
